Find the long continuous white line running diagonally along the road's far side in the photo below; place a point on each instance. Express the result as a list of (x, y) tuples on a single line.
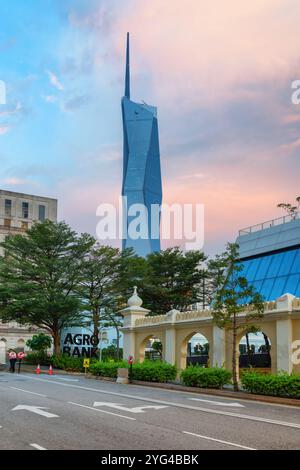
[(178, 405)]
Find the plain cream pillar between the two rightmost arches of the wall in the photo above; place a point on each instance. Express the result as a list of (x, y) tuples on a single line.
[(284, 345)]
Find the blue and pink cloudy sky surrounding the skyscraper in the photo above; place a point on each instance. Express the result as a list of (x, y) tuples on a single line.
[(220, 74)]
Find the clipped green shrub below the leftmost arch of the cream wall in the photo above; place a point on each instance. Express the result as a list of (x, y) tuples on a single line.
[(154, 371)]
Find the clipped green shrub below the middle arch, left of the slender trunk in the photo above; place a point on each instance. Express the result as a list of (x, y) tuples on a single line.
[(211, 377)]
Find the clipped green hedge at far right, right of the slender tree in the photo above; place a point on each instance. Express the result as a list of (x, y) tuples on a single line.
[(277, 385)]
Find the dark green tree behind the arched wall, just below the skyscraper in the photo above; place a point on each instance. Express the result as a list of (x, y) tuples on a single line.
[(171, 279)]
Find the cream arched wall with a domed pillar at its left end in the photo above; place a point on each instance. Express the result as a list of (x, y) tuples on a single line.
[(280, 323)]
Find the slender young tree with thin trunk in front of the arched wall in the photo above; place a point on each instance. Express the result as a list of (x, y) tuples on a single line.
[(235, 296)]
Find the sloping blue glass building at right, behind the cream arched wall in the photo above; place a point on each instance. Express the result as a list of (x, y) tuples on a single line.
[(270, 254)]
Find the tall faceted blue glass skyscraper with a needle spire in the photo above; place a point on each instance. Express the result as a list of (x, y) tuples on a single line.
[(141, 168)]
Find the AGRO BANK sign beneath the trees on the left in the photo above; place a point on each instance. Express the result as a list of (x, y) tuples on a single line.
[(80, 345)]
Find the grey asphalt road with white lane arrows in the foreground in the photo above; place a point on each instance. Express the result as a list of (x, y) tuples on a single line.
[(69, 412)]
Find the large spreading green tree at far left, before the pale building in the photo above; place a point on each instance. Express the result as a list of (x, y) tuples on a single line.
[(39, 274)]
